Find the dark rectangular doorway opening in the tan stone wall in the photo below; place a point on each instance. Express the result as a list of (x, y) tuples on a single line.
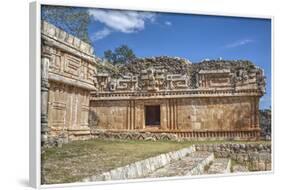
[(152, 115)]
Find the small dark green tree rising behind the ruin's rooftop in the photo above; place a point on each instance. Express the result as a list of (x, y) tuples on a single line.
[(121, 55)]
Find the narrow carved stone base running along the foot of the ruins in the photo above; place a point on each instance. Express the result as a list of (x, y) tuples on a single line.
[(86, 134)]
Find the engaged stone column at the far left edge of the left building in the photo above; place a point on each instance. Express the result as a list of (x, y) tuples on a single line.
[(45, 60)]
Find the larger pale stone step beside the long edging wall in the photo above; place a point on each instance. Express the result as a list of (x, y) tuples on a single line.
[(193, 164)]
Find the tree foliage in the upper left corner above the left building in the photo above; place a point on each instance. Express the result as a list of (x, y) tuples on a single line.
[(74, 20)]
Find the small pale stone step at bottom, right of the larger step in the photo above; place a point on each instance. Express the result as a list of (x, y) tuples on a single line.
[(219, 166)]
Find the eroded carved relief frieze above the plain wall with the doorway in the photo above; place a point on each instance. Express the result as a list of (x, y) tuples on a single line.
[(154, 79)]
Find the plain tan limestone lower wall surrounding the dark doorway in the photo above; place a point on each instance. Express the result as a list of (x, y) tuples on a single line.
[(193, 118)]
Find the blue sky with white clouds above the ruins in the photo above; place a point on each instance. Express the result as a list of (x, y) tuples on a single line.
[(194, 37)]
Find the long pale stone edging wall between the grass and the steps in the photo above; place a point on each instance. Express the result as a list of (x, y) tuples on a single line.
[(142, 168)]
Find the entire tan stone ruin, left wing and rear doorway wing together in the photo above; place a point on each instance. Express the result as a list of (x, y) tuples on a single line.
[(158, 97)]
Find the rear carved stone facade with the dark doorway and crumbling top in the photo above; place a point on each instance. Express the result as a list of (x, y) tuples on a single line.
[(208, 100)]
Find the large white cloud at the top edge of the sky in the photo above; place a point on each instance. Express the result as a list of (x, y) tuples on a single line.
[(123, 21)]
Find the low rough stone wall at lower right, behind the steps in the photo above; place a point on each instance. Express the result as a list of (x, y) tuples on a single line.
[(256, 156)]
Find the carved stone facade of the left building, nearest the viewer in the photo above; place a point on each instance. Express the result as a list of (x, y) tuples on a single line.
[(68, 67)]
